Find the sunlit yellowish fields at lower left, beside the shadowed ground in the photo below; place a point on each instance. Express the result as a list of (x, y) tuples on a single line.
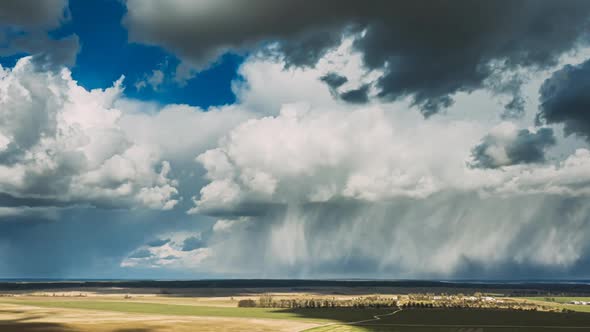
[(87, 311)]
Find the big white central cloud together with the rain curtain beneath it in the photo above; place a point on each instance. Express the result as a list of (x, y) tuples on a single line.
[(372, 190)]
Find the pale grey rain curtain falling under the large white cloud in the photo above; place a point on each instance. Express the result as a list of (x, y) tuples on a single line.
[(382, 240)]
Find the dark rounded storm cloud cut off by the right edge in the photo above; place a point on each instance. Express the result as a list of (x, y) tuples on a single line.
[(565, 98)]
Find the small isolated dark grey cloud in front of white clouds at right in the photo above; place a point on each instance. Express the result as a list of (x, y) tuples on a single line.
[(526, 147)]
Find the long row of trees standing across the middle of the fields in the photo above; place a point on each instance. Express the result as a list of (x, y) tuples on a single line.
[(268, 301)]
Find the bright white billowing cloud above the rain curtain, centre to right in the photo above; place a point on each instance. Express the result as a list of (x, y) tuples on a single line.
[(313, 156)]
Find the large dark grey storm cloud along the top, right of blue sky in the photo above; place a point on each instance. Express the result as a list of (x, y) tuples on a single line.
[(429, 50)]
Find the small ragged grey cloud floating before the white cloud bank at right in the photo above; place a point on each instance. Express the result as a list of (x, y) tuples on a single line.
[(508, 145)]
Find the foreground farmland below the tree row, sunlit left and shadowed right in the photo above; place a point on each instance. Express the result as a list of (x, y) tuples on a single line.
[(34, 314)]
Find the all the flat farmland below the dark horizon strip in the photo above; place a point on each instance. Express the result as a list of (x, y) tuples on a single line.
[(311, 309)]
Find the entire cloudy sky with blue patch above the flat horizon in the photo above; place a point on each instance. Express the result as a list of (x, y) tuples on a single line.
[(294, 139)]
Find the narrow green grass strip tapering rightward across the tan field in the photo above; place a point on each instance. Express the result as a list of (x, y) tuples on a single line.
[(322, 315)]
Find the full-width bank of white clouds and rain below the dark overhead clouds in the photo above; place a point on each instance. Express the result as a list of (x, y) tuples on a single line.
[(295, 177)]
